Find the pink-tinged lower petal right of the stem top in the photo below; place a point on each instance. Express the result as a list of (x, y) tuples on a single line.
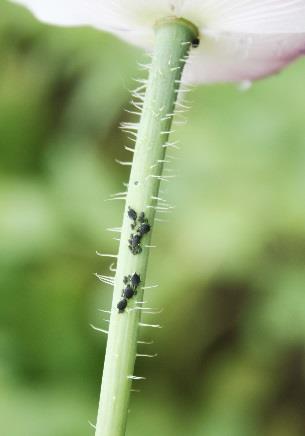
[(237, 57)]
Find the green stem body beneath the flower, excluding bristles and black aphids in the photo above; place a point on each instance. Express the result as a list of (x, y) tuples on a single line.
[(172, 44)]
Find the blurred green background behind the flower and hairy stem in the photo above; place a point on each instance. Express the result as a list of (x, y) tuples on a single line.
[(230, 260)]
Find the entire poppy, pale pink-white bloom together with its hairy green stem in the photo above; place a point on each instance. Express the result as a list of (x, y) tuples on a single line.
[(236, 40)]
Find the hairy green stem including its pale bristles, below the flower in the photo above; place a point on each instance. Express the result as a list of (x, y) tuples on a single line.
[(155, 102)]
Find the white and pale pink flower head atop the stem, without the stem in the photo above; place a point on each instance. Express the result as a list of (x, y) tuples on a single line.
[(240, 39)]
